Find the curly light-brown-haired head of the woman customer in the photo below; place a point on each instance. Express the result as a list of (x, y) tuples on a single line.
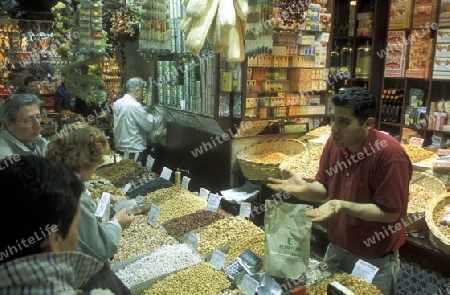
[(80, 147)]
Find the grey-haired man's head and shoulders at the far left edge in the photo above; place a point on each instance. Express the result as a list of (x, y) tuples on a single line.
[(20, 116)]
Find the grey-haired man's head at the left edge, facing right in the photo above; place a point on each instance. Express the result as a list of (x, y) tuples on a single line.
[(21, 115)]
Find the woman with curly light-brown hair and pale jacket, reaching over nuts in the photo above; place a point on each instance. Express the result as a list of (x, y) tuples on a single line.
[(82, 151)]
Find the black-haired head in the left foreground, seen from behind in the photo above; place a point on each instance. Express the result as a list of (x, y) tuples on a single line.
[(44, 196)]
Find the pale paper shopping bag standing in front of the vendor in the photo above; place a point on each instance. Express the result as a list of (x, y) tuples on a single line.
[(287, 244)]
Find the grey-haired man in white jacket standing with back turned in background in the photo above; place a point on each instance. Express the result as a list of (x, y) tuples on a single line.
[(132, 122)]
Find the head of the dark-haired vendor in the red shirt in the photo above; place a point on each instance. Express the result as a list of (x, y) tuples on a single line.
[(352, 116)]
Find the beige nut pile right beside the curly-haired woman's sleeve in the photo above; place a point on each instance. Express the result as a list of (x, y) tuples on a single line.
[(141, 238)]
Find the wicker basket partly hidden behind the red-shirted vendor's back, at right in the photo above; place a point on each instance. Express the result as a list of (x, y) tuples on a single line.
[(435, 187)]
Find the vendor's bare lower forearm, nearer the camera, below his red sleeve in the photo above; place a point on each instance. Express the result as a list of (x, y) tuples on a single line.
[(368, 212)]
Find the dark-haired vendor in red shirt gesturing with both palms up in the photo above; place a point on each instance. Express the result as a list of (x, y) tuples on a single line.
[(364, 178)]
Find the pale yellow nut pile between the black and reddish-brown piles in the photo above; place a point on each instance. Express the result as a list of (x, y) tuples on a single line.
[(183, 204)]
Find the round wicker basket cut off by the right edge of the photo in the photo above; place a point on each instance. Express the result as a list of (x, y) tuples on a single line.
[(438, 237)]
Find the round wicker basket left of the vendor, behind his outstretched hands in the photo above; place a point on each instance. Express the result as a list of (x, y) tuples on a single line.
[(258, 170)]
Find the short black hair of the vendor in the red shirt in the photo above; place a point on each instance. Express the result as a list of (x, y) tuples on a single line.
[(359, 99)]
